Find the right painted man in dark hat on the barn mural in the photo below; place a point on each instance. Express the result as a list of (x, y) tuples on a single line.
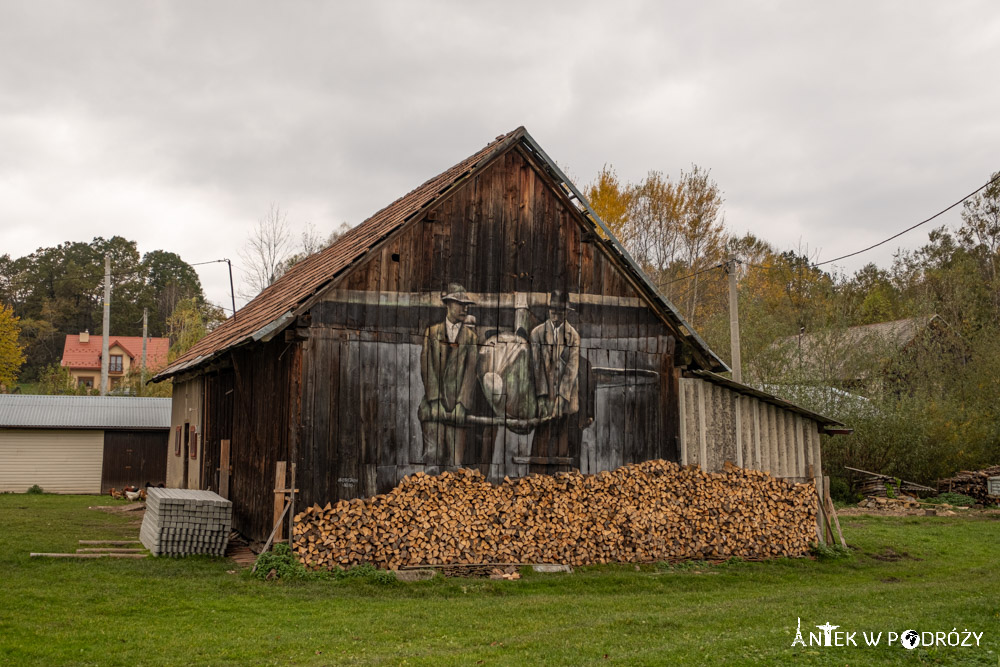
[(555, 350)]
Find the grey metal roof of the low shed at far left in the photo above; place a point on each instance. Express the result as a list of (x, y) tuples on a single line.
[(86, 412)]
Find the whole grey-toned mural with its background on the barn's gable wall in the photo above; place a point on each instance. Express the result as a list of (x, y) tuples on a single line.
[(506, 383)]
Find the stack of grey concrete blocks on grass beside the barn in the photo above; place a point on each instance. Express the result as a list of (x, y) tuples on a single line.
[(180, 522)]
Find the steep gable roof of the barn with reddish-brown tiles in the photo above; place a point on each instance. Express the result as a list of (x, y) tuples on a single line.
[(277, 305)]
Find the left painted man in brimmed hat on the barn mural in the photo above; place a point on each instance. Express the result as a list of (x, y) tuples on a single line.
[(448, 370)]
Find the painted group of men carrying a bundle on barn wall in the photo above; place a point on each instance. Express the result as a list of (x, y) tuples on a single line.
[(530, 383)]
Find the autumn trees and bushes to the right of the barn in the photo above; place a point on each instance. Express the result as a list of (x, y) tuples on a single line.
[(920, 409)]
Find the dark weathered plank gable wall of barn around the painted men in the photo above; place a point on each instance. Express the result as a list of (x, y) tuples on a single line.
[(509, 239)]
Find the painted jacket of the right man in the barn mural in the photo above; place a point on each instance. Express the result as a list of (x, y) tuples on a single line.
[(556, 360)]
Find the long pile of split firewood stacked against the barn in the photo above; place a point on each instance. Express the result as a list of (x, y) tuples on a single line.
[(644, 512)]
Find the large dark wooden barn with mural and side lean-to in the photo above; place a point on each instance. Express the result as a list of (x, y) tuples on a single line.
[(485, 320)]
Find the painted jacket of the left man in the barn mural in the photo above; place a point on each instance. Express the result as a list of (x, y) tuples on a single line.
[(449, 369)]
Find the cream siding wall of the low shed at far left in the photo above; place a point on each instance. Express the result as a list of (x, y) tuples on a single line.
[(58, 461)]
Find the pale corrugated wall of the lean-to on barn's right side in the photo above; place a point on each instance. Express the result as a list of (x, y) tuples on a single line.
[(719, 425)]
